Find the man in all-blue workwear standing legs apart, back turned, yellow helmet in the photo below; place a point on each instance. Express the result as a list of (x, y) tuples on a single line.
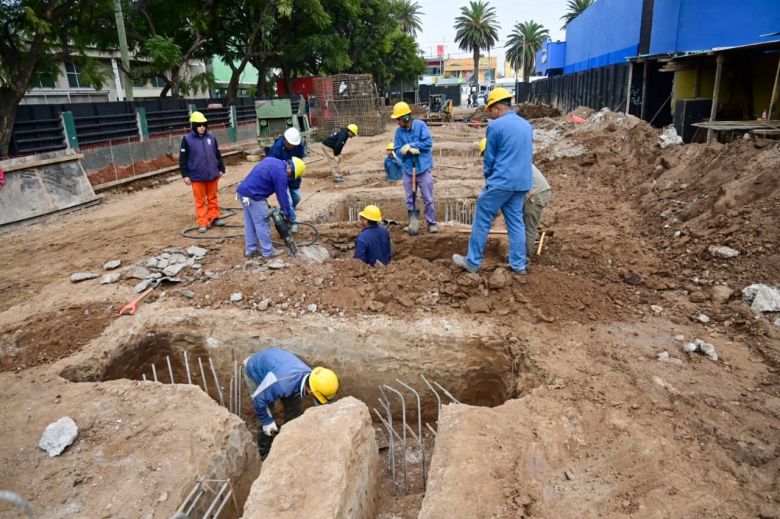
[(508, 178)]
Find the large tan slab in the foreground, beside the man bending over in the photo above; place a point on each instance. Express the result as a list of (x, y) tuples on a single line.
[(324, 464)]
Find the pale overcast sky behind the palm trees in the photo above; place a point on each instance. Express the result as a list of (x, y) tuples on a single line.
[(439, 17)]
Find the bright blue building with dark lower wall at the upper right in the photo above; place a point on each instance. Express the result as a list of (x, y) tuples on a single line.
[(646, 56)]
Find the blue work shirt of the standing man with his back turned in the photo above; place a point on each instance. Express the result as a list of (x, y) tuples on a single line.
[(509, 153)]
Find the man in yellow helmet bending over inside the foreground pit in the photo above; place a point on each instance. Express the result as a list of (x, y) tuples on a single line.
[(275, 374)]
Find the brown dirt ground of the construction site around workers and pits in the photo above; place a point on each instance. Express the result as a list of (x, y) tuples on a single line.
[(581, 418)]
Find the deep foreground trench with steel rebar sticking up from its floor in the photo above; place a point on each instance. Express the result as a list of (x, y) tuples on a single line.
[(473, 370)]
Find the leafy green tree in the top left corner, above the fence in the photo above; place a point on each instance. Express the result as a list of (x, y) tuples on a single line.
[(36, 36)]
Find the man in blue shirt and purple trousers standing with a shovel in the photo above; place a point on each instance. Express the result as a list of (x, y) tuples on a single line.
[(413, 143)]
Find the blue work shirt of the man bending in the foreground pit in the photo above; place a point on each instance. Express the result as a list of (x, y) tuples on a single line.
[(278, 374)]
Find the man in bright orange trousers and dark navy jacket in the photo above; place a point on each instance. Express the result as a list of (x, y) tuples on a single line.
[(201, 165)]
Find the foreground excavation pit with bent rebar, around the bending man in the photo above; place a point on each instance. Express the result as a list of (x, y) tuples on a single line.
[(474, 367)]
